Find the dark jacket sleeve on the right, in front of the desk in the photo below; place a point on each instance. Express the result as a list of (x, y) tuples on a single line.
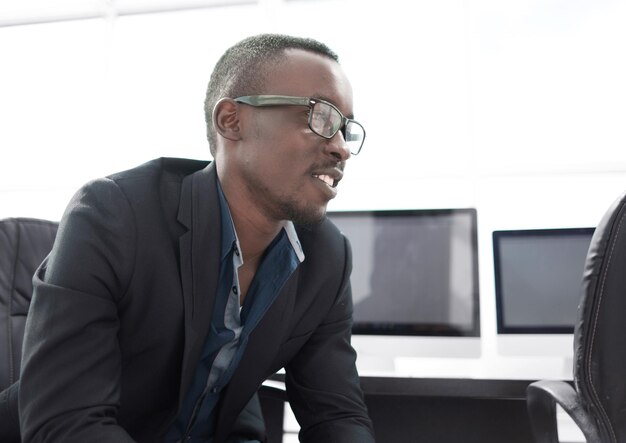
[(322, 381)]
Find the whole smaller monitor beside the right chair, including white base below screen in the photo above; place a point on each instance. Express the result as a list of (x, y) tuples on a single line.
[(538, 276)]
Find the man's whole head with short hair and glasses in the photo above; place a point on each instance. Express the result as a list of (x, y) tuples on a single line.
[(282, 109)]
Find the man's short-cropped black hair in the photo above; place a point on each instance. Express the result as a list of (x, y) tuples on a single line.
[(243, 68)]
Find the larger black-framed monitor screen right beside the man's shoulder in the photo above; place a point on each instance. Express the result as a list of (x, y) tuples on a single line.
[(415, 272)]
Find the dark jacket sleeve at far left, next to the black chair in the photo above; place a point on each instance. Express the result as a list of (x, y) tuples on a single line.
[(71, 364)]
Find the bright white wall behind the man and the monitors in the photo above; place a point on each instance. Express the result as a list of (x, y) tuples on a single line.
[(516, 108)]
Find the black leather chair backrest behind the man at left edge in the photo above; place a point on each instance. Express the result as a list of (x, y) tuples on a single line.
[(24, 243)]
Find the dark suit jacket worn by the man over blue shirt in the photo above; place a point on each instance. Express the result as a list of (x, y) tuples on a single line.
[(122, 306)]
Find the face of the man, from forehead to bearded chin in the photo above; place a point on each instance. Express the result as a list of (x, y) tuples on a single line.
[(290, 171)]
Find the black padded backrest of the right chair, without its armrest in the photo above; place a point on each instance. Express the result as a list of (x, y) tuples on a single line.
[(600, 334)]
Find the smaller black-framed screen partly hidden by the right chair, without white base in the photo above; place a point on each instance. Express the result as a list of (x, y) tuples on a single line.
[(538, 275)]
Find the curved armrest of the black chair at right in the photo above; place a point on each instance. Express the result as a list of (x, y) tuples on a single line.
[(541, 400)]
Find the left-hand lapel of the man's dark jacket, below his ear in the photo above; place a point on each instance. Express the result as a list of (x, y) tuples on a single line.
[(199, 263)]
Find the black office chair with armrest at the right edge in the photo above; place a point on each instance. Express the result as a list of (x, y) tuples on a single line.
[(597, 399)]
